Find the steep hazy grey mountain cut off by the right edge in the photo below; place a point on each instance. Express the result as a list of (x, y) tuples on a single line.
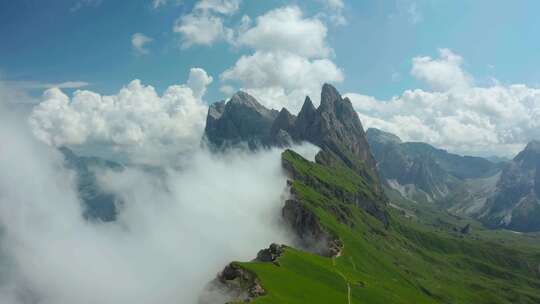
[(515, 204)]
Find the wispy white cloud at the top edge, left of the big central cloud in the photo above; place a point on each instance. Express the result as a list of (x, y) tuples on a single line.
[(204, 25)]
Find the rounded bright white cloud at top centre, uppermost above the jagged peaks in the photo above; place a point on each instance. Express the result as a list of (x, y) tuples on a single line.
[(285, 29)]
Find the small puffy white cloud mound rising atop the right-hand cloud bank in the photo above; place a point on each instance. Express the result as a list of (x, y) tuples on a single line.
[(442, 74)]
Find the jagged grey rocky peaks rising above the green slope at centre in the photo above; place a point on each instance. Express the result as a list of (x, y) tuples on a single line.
[(333, 126)]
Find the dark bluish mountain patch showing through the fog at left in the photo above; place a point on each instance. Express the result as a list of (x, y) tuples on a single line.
[(99, 204)]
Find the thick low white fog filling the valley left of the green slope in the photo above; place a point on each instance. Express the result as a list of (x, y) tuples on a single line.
[(174, 232)]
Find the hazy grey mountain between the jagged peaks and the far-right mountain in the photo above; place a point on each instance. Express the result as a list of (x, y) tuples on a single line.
[(422, 172)]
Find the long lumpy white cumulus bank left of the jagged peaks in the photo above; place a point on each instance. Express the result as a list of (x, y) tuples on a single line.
[(135, 119)]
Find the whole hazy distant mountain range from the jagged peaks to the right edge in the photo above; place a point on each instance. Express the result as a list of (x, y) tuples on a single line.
[(500, 194)]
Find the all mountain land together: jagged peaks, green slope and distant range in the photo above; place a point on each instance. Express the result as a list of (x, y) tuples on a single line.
[(356, 244)]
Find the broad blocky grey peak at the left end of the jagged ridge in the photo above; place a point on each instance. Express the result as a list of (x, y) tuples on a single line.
[(241, 120)]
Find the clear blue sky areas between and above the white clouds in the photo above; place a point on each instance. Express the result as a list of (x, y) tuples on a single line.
[(49, 42)]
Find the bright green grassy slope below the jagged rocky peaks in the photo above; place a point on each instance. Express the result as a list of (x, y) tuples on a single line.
[(409, 262)]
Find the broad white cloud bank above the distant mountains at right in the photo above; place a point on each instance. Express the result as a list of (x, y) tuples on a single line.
[(456, 115)]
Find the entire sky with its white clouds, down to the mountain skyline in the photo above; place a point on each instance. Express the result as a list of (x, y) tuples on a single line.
[(461, 75)]
